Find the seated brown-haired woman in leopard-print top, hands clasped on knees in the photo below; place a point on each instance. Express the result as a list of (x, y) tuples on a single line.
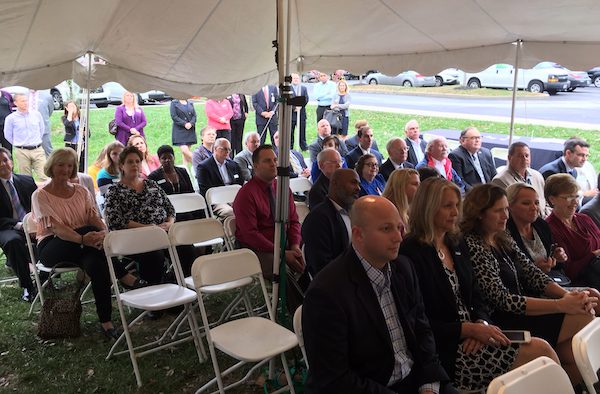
[(506, 277)]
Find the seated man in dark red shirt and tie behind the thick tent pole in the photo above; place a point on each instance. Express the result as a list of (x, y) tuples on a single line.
[(254, 209)]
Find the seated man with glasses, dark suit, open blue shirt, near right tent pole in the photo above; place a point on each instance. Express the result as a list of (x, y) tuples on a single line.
[(473, 163)]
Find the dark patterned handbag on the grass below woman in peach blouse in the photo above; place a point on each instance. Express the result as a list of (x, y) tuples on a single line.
[(61, 311)]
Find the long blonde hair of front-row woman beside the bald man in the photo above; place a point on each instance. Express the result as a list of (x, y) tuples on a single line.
[(425, 206)]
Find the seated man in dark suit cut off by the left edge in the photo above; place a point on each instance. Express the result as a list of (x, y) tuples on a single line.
[(15, 202)]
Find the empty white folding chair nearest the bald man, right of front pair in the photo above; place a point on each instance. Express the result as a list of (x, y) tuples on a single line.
[(251, 339)]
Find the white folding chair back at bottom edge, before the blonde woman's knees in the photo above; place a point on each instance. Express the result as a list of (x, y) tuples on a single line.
[(541, 375)]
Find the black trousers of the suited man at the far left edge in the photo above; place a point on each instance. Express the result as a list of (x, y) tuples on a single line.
[(14, 245)]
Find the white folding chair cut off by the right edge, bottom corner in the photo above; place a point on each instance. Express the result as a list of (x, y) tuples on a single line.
[(586, 351)]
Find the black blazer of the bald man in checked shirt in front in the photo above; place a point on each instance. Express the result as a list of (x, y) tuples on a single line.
[(346, 338)]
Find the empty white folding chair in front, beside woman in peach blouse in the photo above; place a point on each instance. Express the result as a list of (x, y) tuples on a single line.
[(150, 298)]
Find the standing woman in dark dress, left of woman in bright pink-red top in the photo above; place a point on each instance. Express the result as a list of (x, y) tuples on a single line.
[(183, 133)]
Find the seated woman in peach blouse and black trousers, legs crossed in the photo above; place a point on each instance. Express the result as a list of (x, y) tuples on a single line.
[(69, 225)]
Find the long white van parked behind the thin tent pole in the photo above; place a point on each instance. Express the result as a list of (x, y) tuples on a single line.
[(549, 80)]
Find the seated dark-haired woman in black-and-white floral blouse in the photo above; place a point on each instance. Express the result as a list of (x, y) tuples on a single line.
[(136, 202)]
